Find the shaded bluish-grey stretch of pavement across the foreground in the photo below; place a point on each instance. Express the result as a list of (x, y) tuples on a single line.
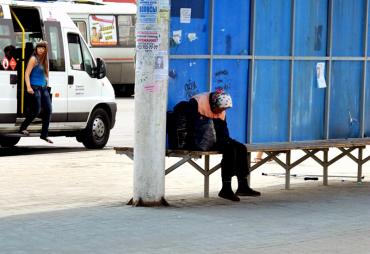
[(309, 219)]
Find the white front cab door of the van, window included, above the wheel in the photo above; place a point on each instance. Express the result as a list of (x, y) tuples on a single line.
[(84, 89)]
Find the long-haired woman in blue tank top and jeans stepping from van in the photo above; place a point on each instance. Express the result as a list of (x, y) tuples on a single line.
[(36, 77)]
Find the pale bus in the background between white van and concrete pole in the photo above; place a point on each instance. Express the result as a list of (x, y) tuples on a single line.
[(109, 29)]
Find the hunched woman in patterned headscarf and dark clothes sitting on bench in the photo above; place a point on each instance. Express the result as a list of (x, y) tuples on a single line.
[(212, 106)]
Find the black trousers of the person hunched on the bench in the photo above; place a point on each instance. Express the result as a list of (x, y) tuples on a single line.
[(234, 161)]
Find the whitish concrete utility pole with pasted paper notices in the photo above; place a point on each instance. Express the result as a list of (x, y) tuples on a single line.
[(151, 85)]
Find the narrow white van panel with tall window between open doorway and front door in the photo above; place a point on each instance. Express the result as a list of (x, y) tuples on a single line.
[(57, 71)]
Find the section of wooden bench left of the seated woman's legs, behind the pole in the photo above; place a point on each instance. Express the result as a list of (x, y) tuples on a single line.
[(185, 156)]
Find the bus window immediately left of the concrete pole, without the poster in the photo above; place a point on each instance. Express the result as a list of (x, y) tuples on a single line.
[(126, 26)]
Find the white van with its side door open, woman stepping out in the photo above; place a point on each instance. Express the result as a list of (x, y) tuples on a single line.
[(83, 99)]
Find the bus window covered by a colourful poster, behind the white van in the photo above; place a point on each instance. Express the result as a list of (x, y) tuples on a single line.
[(103, 30)]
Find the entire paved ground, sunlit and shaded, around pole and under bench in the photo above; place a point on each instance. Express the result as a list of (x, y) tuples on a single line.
[(74, 202)]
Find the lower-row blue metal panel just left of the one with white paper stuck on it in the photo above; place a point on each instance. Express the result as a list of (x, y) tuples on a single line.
[(269, 100)]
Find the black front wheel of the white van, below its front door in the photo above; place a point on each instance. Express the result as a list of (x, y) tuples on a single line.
[(96, 133)]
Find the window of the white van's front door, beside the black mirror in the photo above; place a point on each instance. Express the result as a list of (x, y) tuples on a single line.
[(79, 55)]
